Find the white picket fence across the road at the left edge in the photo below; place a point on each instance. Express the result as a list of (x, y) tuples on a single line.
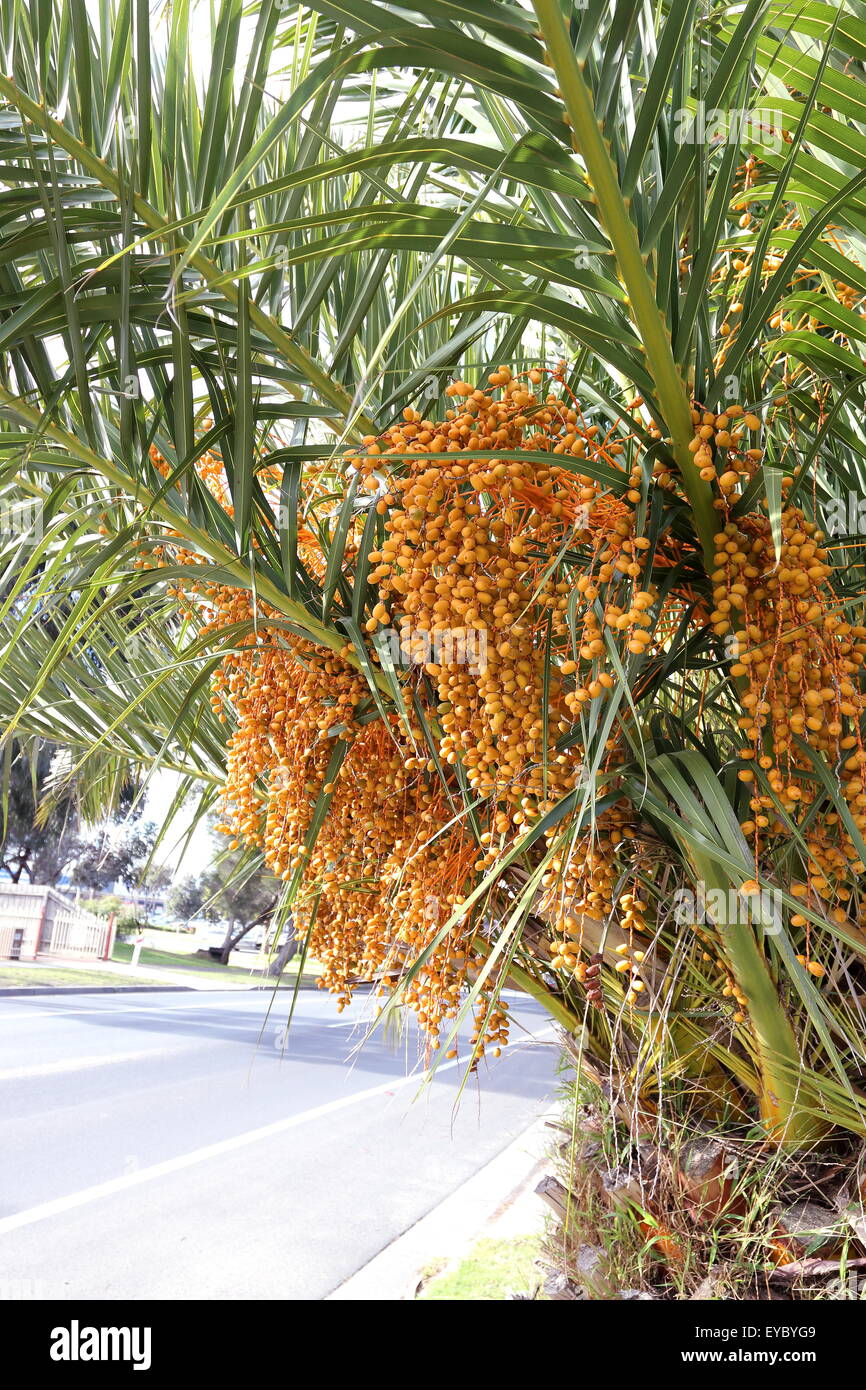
[(40, 924)]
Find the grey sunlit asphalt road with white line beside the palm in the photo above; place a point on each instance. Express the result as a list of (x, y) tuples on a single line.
[(169, 1146)]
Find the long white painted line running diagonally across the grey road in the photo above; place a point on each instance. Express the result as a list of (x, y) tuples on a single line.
[(227, 1146)]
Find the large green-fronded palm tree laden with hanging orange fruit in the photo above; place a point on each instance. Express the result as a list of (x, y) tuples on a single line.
[(240, 300)]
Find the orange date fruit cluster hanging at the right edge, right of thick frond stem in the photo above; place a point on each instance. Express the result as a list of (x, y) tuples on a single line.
[(797, 661)]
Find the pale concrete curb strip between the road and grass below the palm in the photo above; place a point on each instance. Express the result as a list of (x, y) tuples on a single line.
[(454, 1227)]
